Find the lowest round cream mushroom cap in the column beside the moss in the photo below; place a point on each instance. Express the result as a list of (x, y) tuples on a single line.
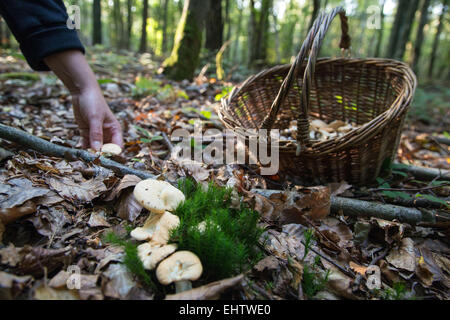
[(180, 266)]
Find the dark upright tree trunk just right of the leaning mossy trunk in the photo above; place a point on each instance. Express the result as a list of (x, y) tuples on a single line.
[(214, 26)]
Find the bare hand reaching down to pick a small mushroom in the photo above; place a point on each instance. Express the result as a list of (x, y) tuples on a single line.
[(95, 120)]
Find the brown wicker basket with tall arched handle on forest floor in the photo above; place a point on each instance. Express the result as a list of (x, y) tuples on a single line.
[(373, 93)]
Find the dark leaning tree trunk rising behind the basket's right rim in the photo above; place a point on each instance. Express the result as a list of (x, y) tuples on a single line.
[(401, 30)]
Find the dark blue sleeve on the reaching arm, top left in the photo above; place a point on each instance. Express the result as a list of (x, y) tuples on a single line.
[(40, 27)]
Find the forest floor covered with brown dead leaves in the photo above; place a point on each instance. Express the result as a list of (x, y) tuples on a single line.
[(70, 205)]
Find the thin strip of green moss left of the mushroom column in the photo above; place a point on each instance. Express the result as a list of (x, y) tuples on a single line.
[(131, 259)]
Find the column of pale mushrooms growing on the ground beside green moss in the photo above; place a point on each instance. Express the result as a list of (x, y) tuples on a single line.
[(178, 267)]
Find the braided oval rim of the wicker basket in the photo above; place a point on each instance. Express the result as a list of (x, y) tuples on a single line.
[(354, 136)]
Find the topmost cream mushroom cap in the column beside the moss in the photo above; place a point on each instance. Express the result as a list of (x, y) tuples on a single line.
[(158, 196)]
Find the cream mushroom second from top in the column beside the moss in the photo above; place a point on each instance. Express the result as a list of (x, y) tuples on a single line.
[(157, 228)]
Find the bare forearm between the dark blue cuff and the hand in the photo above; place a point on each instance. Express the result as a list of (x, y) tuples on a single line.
[(73, 70)]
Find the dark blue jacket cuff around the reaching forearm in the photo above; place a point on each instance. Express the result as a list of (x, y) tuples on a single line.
[(44, 43)]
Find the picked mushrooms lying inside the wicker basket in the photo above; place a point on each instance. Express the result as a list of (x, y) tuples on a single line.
[(320, 130)]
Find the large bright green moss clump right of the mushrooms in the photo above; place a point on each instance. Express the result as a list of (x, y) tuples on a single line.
[(228, 244)]
